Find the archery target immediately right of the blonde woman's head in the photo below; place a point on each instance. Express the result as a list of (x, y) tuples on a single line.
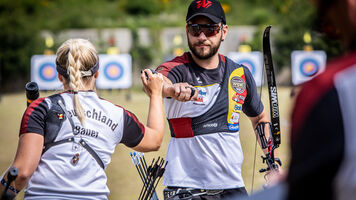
[(115, 71)]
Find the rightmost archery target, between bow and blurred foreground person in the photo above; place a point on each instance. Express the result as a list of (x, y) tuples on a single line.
[(306, 65)]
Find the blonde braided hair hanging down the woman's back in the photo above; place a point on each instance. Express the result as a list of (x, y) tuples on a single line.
[(77, 55)]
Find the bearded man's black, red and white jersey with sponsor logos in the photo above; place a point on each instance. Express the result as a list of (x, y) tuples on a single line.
[(205, 151)]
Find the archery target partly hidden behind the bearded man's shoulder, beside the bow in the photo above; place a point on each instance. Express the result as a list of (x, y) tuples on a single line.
[(253, 61)]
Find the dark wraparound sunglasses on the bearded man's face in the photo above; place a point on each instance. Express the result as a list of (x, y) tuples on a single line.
[(208, 29)]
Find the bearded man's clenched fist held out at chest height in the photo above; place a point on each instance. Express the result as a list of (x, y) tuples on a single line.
[(181, 92)]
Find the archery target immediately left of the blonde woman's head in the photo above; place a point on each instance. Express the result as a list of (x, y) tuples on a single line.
[(44, 73)]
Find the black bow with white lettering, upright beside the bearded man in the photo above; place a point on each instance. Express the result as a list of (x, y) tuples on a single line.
[(274, 140)]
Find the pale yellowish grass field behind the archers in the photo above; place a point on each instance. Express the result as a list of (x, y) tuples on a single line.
[(123, 180)]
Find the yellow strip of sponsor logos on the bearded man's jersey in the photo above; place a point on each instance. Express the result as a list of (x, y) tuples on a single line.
[(237, 94)]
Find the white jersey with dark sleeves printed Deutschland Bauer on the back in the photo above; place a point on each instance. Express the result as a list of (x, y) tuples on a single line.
[(69, 170)]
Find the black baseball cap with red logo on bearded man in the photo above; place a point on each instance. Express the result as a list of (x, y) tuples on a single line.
[(208, 8)]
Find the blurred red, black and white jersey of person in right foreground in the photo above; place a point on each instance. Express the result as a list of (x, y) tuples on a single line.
[(323, 164)]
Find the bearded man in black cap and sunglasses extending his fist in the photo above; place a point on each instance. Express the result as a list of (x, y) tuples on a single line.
[(208, 93)]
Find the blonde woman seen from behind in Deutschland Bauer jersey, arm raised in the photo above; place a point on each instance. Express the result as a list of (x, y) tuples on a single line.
[(66, 140)]
